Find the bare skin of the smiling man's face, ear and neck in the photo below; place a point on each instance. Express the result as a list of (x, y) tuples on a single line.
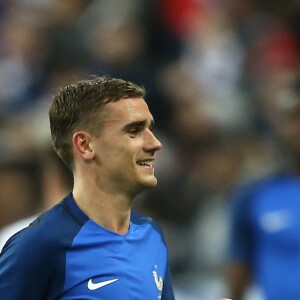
[(108, 172)]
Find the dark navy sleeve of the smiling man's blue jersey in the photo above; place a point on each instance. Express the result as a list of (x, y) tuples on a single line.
[(32, 262)]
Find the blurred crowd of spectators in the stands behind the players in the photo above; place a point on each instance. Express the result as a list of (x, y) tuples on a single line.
[(213, 71)]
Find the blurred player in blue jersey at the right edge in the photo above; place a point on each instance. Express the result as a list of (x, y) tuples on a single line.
[(265, 241)]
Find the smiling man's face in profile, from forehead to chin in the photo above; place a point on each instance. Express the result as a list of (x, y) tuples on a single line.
[(125, 149)]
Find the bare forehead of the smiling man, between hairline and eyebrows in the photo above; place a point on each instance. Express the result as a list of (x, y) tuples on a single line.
[(128, 109)]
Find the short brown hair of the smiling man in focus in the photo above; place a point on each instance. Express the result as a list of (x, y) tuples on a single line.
[(74, 107)]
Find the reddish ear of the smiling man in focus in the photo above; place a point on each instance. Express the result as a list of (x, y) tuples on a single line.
[(82, 145)]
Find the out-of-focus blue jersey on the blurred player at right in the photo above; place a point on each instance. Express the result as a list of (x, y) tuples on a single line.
[(266, 234)]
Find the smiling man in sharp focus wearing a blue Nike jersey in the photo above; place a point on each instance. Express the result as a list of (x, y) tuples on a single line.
[(91, 245)]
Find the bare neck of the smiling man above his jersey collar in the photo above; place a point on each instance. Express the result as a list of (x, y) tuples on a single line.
[(108, 209)]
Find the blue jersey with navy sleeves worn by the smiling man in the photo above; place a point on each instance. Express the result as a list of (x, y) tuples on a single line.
[(65, 255)]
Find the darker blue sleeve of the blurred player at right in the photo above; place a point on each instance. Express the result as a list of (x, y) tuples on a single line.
[(241, 231)]
